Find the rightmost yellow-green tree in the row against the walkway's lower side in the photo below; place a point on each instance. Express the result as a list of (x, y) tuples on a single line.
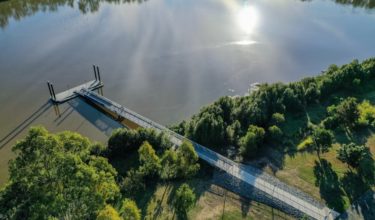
[(187, 160)]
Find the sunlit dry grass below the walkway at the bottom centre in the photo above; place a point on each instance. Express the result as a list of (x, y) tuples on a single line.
[(213, 202)]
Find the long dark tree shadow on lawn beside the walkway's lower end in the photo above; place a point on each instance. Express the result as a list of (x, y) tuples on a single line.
[(329, 185)]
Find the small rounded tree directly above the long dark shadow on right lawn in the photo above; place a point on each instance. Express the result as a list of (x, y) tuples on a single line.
[(322, 139)]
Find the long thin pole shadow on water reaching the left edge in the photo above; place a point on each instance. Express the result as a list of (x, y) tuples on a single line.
[(25, 124)]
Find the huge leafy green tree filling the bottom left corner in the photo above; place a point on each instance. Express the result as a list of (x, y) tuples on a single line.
[(54, 176)]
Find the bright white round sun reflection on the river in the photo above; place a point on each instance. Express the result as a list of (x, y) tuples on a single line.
[(247, 19)]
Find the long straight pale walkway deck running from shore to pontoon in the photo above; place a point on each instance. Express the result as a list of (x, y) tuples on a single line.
[(215, 159)]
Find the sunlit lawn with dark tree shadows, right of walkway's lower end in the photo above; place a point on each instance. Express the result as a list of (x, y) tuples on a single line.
[(299, 170)]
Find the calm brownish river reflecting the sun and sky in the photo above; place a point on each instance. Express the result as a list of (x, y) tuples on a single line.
[(162, 58)]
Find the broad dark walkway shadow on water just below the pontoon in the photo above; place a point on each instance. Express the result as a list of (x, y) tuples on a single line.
[(99, 119)]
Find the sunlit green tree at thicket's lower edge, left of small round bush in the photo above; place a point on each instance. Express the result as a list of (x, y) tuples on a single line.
[(249, 144)]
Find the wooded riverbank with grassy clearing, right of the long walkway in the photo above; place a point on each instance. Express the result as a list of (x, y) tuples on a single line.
[(326, 121)]
